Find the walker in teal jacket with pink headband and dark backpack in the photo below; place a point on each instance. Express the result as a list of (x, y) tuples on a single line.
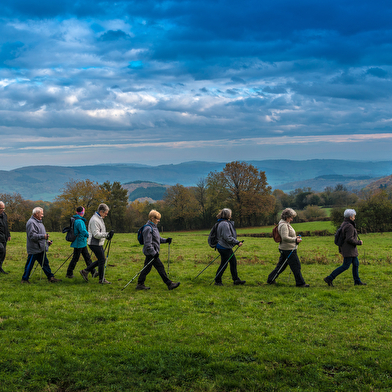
[(80, 244)]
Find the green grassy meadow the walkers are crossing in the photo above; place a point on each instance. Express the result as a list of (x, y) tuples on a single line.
[(78, 336)]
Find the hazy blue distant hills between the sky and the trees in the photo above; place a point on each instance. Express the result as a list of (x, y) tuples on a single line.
[(46, 182)]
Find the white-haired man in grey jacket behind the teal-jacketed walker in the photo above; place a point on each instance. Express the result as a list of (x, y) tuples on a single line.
[(37, 245)]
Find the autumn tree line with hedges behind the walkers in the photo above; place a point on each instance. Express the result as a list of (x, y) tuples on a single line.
[(239, 186)]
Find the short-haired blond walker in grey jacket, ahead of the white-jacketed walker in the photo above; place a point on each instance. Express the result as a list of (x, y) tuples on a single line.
[(151, 246)]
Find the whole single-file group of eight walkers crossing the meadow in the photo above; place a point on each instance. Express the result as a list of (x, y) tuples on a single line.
[(95, 234)]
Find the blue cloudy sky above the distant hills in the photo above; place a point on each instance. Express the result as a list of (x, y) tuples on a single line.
[(155, 82)]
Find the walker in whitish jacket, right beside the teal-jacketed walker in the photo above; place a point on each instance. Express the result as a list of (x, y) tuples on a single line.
[(97, 235)]
